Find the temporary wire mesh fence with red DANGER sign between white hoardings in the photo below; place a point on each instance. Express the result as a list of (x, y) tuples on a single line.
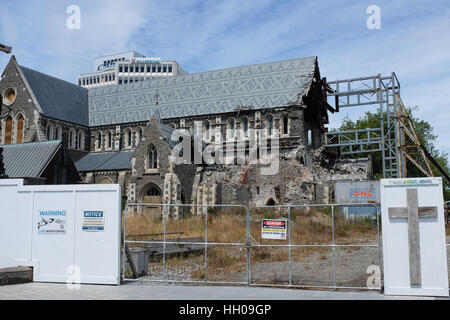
[(321, 246)]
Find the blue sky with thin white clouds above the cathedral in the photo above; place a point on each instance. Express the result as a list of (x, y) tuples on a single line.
[(413, 42)]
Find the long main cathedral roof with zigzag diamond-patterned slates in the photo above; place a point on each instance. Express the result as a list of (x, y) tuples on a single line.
[(257, 86)]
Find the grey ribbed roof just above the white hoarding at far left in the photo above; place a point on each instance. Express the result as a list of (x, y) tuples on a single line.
[(28, 160)]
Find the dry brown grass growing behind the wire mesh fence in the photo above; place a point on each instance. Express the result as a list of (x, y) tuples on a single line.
[(311, 227)]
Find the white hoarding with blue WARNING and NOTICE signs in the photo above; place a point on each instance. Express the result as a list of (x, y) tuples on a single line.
[(61, 229)]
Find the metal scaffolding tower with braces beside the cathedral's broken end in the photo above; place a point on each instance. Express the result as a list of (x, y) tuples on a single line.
[(396, 137)]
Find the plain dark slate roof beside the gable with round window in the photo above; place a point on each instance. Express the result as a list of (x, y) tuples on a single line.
[(57, 98)]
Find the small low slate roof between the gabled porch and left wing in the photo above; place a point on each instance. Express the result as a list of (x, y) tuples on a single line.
[(105, 161)]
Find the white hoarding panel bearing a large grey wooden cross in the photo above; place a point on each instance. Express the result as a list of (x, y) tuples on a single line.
[(414, 243)]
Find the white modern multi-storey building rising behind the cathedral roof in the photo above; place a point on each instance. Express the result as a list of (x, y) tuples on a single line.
[(128, 67)]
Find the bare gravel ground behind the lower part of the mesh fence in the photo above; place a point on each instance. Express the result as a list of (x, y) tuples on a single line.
[(315, 270)]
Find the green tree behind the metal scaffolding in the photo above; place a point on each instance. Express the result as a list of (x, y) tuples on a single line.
[(426, 135)]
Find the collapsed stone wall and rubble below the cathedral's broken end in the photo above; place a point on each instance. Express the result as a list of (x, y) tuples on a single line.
[(303, 176)]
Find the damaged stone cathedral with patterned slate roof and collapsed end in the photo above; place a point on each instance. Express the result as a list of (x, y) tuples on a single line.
[(124, 133)]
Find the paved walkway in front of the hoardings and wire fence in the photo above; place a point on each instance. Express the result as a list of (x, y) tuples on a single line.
[(138, 291)]
